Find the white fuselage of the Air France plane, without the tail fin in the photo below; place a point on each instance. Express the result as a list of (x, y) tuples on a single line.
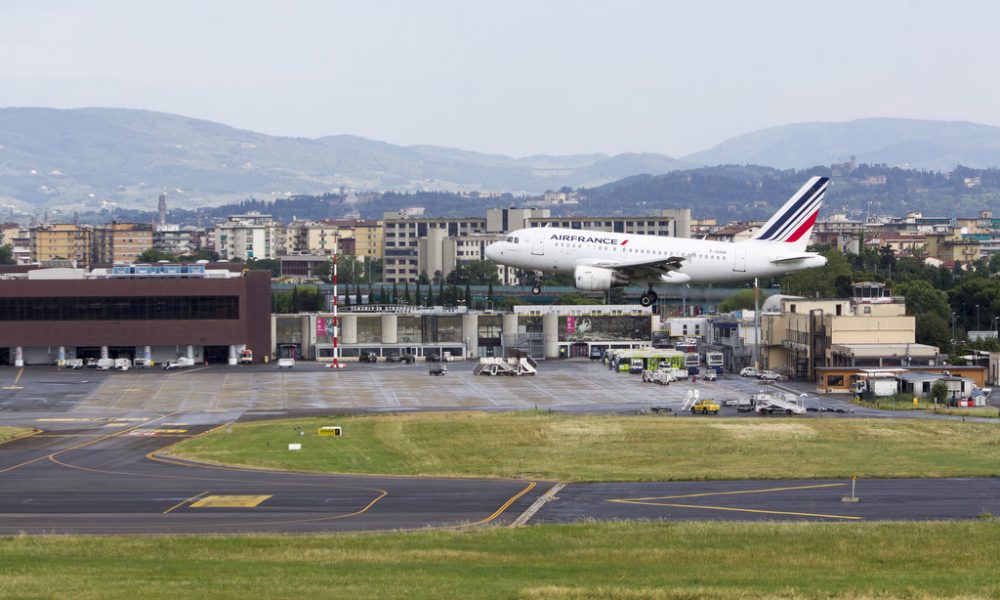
[(556, 250)]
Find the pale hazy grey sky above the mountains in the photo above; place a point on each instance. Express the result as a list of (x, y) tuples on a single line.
[(513, 77)]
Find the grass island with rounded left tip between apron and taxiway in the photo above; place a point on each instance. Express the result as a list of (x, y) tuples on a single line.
[(602, 448)]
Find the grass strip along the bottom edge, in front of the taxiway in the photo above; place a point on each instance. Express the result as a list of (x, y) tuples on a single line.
[(599, 560)]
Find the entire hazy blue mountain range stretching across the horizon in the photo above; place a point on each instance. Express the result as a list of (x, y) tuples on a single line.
[(96, 158)]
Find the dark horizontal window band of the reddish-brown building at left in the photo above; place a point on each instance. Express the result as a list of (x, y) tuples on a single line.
[(125, 308)]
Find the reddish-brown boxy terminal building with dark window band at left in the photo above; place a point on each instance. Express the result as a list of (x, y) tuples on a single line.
[(204, 312)]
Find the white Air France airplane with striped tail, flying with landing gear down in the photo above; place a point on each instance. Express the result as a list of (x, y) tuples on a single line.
[(600, 260)]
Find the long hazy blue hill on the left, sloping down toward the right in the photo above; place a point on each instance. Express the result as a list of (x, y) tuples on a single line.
[(88, 159)]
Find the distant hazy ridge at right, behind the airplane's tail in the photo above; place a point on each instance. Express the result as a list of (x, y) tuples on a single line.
[(909, 143)]
